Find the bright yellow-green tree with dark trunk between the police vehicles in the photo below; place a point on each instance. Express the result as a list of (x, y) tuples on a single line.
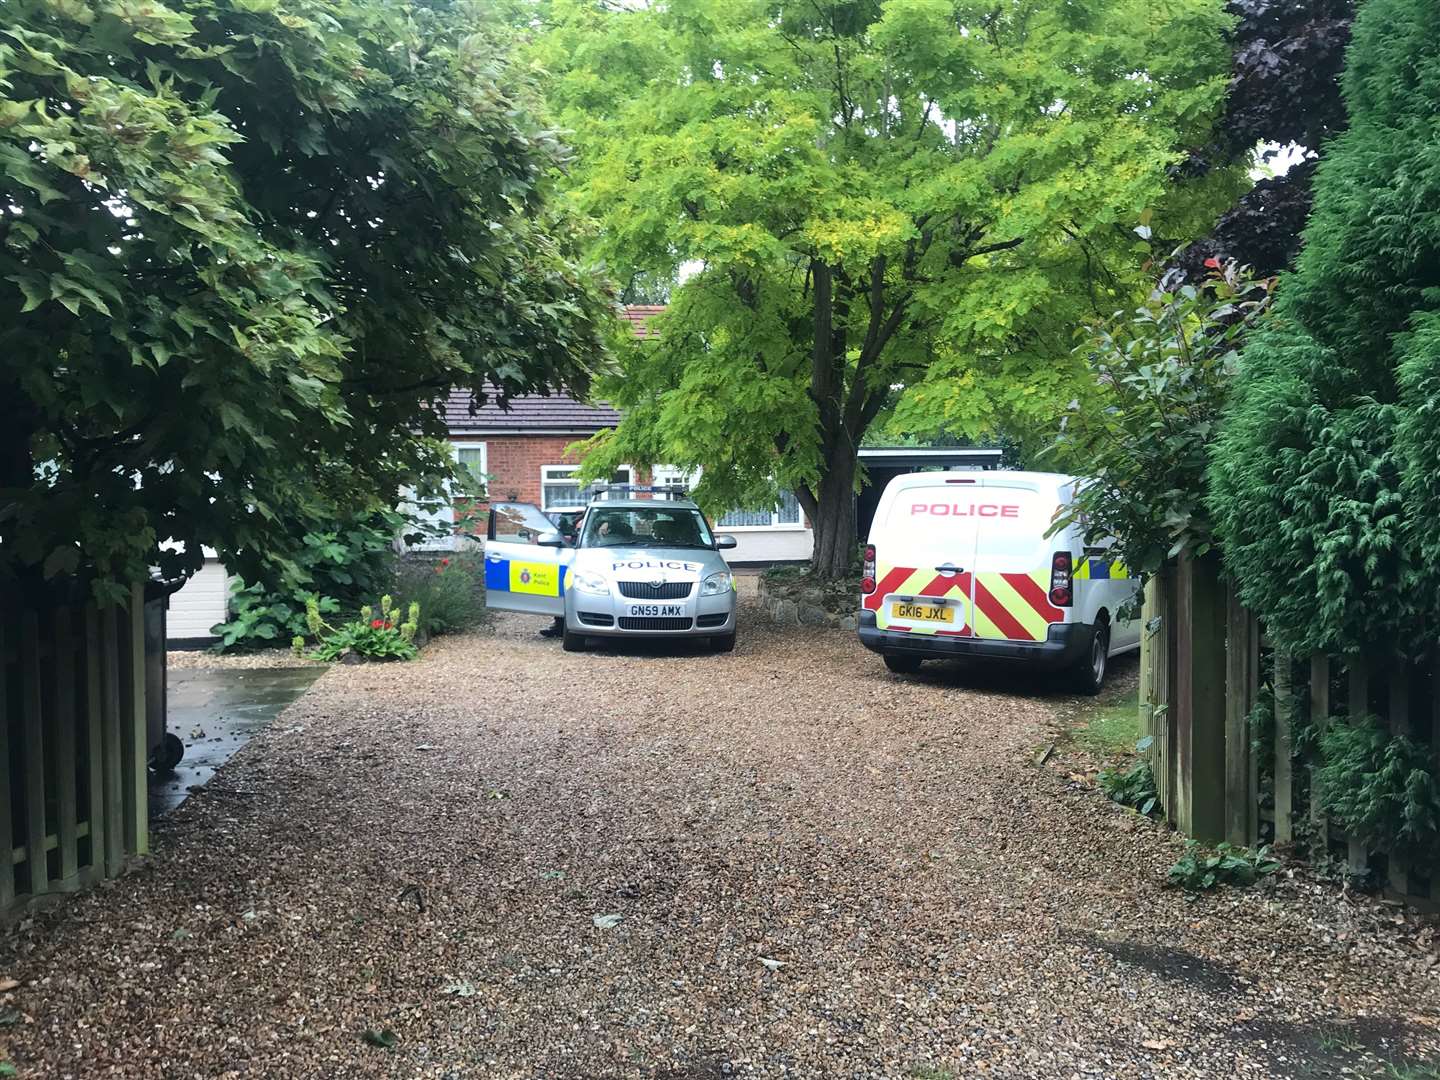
[(869, 195)]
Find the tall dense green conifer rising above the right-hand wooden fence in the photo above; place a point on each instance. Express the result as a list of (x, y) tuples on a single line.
[(1324, 480)]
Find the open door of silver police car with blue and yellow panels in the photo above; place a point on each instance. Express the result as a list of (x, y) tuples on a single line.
[(521, 575)]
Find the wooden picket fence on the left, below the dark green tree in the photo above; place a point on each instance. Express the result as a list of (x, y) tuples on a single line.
[(74, 744)]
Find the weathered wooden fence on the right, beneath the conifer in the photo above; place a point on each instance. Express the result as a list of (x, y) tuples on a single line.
[(1219, 703)]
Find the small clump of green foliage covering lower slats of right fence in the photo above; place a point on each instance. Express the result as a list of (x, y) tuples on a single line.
[(1383, 790)]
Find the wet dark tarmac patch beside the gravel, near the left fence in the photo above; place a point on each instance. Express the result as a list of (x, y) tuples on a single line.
[(215, 712)]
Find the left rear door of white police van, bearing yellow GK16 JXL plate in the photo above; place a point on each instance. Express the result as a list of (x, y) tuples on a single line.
[(925, 551)]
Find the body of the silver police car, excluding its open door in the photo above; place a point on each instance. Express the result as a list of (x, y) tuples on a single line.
[(649, 568)]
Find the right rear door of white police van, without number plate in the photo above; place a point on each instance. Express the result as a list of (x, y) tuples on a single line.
[(1013, 559)]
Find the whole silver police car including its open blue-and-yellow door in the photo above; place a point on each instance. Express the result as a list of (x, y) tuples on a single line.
[(630, 568)]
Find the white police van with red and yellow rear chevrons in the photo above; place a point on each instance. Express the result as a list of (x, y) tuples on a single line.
[(960, 565)]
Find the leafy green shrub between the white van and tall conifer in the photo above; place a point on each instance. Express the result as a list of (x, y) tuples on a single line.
[(1167, 368)]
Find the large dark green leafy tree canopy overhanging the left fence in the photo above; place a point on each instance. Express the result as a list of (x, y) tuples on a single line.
[(244, 246)]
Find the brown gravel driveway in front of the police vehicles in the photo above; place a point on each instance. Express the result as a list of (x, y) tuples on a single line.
[(513, 862)]
